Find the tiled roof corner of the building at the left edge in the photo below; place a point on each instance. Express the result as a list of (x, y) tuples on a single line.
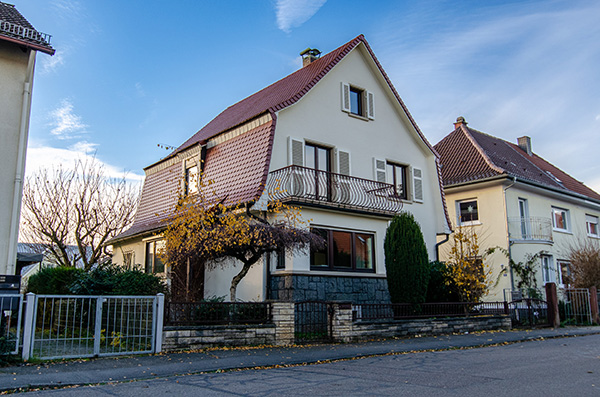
[(15, 28)]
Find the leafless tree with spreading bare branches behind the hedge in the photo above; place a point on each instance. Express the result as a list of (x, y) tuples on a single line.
[(81, 207)]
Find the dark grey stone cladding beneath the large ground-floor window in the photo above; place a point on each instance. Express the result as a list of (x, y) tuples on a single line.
[(330, 288)]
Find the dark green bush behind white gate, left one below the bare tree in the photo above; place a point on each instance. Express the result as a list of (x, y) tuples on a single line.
[(54, 280)]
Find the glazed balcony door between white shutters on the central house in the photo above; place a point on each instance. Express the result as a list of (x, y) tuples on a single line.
[(318, 160)]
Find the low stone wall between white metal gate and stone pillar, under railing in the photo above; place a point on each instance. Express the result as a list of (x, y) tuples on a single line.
[(197, 337)]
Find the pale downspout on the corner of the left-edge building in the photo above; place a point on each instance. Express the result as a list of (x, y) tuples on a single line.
[(20, 170)]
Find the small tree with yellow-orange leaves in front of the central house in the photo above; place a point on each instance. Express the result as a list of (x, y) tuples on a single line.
[(205, 232)]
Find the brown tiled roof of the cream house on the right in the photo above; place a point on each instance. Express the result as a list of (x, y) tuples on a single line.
[(468, 155)]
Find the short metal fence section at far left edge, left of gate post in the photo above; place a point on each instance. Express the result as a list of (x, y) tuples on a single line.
[(10, 322)]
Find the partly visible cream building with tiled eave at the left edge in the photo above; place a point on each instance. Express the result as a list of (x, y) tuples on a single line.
[(19, 43)]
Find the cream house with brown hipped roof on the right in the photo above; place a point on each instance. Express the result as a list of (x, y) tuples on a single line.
[(514, 199)]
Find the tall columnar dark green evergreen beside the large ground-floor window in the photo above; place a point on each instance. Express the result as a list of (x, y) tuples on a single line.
[(406, 260)]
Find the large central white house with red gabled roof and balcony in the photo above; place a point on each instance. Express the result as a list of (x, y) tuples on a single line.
[(333, 138)]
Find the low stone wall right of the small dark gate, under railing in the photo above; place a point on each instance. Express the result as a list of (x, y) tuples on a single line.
[(366, 330)]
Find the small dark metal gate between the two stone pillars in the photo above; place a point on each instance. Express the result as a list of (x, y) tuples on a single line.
[(313, 321)]
